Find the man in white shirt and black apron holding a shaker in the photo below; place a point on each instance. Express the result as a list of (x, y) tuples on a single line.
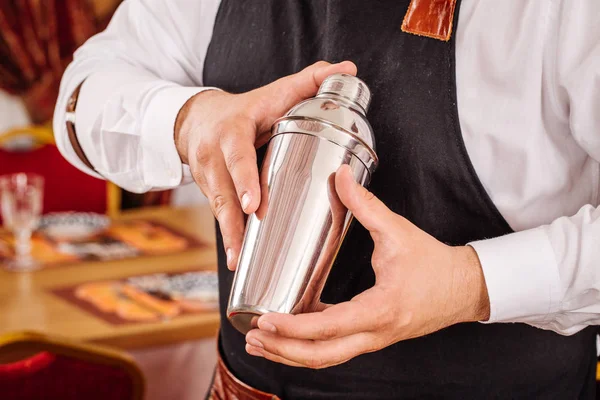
[(486, 120)]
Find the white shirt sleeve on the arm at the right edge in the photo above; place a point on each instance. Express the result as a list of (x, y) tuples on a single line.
[(549, 276)]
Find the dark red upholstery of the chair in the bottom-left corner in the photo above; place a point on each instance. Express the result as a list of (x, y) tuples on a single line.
[(51, 376)]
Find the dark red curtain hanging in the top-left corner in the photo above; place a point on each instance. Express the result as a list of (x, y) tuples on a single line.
[(37, 41)]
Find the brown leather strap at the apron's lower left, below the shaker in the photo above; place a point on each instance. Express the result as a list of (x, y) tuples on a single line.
[(227, 387)]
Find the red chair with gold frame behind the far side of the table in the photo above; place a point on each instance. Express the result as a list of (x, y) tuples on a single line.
[(66, 188)]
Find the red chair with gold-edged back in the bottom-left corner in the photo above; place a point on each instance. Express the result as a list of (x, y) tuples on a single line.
[(65, 370)]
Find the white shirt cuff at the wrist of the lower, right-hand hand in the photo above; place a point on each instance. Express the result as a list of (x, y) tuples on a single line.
[(521, 275)]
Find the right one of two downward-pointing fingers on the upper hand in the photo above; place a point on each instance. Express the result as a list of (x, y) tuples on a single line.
[(240, 158)]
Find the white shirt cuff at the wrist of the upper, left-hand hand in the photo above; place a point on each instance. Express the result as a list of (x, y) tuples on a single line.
[(161, 165)]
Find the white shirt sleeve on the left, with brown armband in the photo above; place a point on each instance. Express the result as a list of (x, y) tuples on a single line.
[(137, 75)]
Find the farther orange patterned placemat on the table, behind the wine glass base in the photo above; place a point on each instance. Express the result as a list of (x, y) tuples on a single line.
[(121, 240)]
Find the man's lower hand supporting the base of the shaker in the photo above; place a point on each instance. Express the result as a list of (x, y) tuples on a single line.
[(422, 286)]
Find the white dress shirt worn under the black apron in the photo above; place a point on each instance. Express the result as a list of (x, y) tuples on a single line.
[(528, 78)]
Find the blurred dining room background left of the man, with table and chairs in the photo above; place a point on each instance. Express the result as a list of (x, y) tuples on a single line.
[(104, 294)]
